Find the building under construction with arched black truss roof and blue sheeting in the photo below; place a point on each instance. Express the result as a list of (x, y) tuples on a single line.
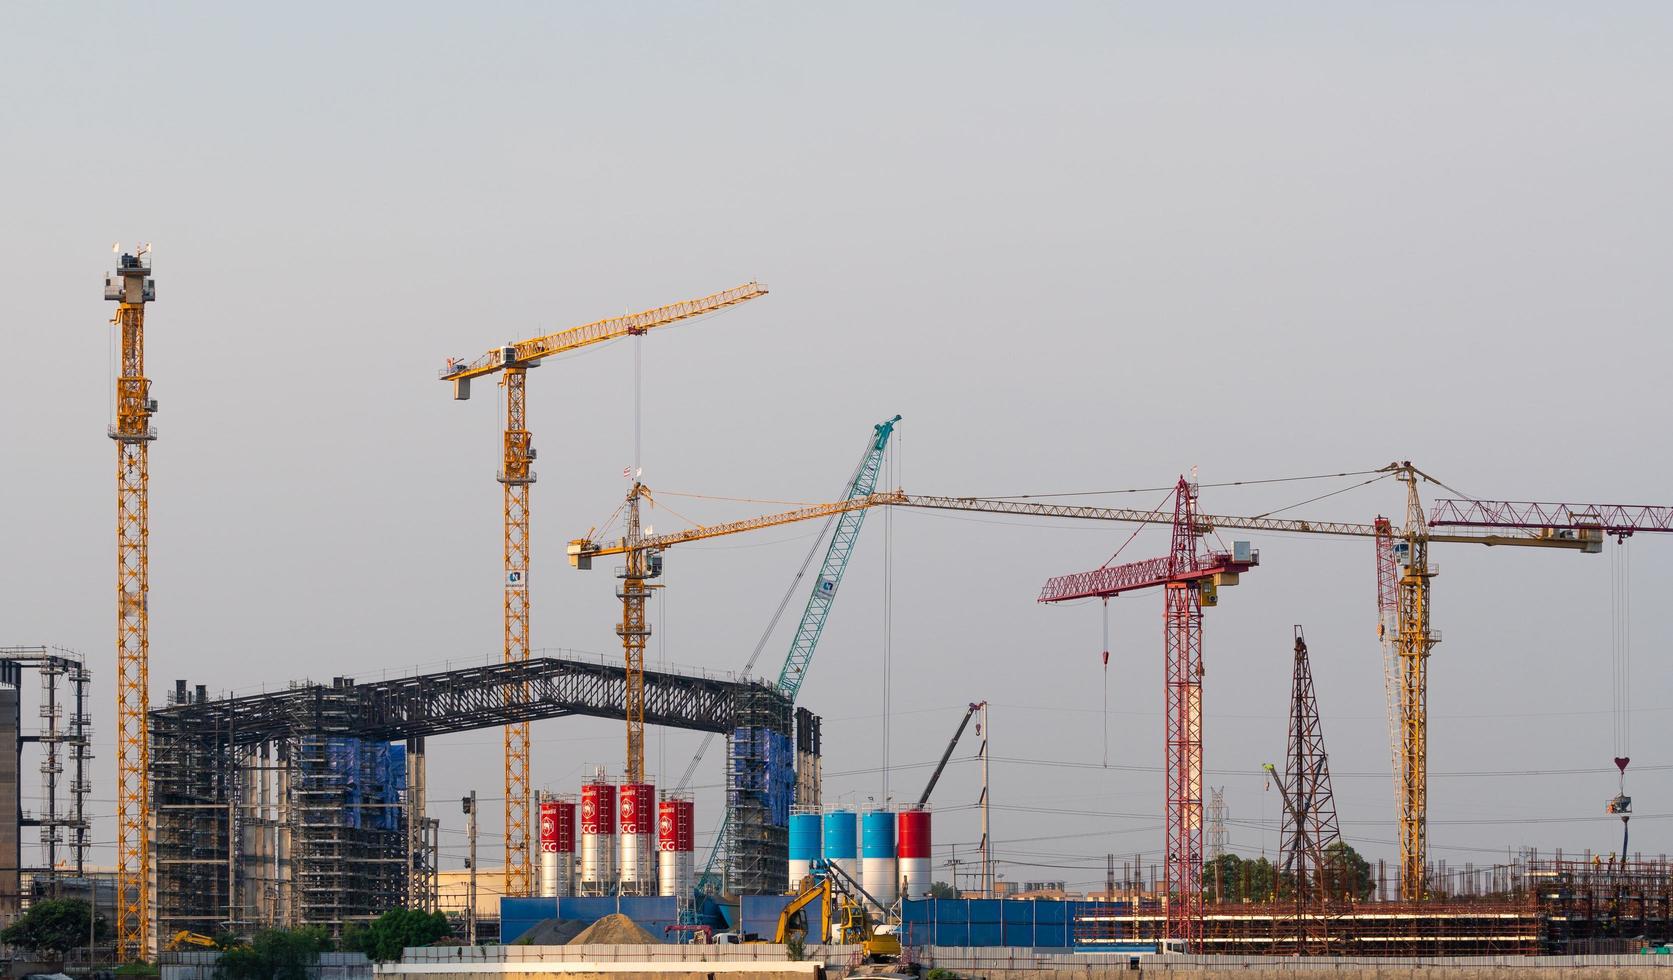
[(305, 807)]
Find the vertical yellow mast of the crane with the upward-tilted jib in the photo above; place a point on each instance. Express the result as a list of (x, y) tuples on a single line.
[(516, 477)]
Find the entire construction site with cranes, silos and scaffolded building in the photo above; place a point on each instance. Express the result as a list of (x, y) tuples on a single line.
[(310, 805)]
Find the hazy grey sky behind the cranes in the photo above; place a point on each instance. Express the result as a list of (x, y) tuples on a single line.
[(1077, 247)]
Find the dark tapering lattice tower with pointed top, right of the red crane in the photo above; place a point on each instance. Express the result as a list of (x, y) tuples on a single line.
[(1311, 809)]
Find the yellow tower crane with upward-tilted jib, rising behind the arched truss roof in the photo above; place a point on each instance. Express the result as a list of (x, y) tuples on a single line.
[(513, 362)]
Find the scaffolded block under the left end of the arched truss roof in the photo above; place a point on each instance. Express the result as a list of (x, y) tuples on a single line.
[(300, 827)]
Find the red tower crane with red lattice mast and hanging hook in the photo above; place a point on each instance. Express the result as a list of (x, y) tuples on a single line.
[(1190, 579)]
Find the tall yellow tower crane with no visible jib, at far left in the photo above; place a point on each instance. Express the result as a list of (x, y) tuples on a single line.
[(131, 287)]
